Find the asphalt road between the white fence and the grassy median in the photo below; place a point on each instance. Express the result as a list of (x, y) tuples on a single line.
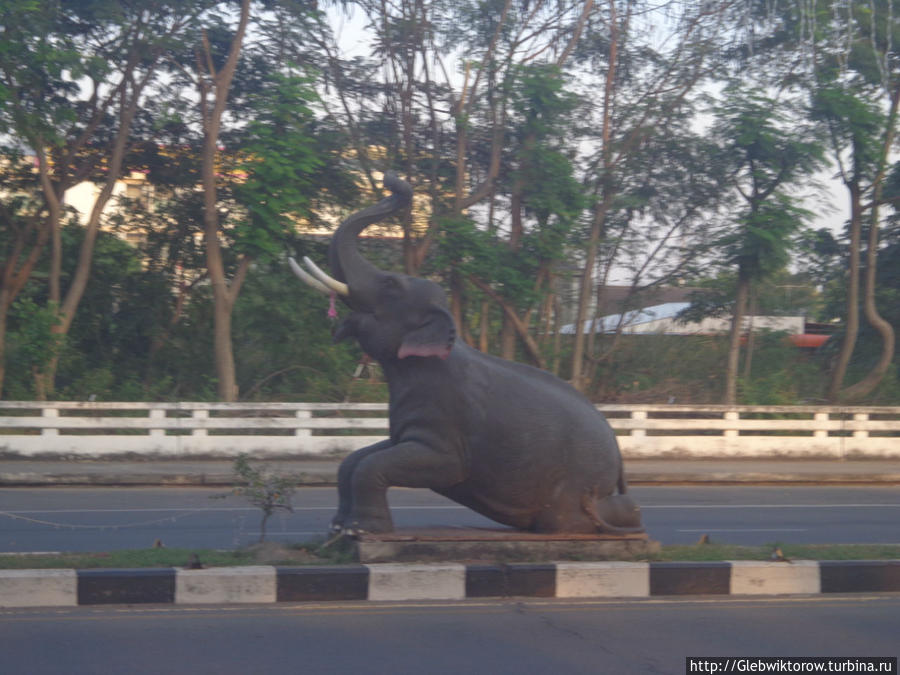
[(90, 519)]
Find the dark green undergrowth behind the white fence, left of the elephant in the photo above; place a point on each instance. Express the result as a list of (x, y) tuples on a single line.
[(282, 335)]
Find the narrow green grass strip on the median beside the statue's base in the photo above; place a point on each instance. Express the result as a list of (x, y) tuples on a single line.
[(315, 554)]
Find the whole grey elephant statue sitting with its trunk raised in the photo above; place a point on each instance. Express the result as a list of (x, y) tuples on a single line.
[(512, 442)]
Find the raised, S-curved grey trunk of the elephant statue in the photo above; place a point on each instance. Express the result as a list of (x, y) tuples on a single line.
[(344, 258)]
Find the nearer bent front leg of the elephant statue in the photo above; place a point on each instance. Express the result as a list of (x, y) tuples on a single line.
[(407, 464)]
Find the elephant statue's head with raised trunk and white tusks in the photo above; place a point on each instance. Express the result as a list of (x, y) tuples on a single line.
[(394, 316)]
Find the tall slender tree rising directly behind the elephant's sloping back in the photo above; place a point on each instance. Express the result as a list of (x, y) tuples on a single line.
[(650, 70)]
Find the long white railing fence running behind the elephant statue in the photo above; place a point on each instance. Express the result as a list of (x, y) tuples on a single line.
[(94, 430)]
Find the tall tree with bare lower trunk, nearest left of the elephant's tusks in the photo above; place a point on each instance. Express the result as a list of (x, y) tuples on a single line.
[(257, 178)]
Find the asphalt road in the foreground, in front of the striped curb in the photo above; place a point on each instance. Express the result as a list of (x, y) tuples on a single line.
[(647, 636)]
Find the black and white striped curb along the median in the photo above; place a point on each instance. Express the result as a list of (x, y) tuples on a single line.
[(450, 581)]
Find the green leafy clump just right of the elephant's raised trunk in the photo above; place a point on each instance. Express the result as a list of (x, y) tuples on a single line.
[(539, 182)]
